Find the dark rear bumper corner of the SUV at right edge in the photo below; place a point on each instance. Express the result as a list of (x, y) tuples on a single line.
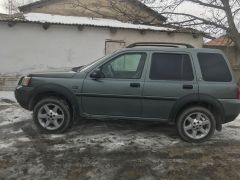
[(231, 109)]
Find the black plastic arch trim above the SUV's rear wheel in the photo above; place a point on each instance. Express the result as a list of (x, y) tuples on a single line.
[(203, 100)]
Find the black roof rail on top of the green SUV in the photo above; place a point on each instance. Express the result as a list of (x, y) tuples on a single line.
[(160, 44)]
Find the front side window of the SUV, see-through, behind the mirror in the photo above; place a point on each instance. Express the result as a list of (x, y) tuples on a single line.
[(127, 66)]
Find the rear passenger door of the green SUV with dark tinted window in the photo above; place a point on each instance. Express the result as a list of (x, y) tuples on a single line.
[(170, 76)]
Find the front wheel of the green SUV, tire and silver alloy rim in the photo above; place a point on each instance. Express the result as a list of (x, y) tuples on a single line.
[(52, 115)]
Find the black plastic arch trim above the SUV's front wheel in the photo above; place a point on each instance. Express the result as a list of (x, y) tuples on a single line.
[(57, 91)]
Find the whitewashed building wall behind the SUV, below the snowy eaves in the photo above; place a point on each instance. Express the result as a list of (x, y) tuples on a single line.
[(28, 47)]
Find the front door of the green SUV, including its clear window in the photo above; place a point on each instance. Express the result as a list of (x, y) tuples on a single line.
[(118, 93)]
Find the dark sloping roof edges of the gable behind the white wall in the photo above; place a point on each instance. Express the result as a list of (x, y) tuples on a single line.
[(135, 2)]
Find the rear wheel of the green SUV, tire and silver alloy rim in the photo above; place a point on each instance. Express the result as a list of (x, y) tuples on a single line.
[(196, 124)]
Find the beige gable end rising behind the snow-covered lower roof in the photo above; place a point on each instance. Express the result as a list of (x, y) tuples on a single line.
[(123, 10)]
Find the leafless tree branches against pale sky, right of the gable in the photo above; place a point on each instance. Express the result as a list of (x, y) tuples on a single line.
[(220, 16)]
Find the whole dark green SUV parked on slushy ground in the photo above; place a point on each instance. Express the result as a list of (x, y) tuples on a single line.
[(175, 83)]
